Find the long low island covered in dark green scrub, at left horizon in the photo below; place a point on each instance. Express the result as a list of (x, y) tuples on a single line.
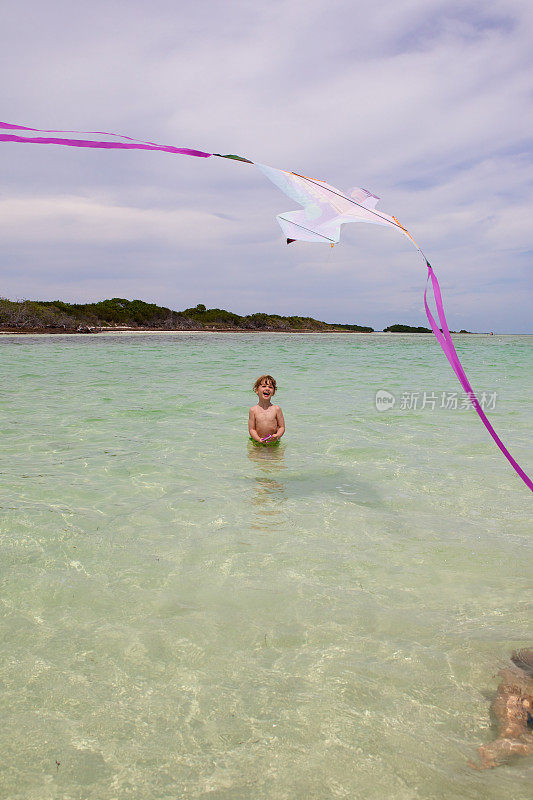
[(55, 316)]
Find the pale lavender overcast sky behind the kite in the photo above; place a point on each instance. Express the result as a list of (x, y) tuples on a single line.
[(426, 103)]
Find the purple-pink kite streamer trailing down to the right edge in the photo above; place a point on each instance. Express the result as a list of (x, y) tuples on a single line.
[(445, 341)]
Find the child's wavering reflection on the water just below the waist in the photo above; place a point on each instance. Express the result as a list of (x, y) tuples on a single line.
[(268, 491)]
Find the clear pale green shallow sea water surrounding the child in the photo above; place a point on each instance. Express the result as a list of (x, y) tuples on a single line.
[(186, 616)]
